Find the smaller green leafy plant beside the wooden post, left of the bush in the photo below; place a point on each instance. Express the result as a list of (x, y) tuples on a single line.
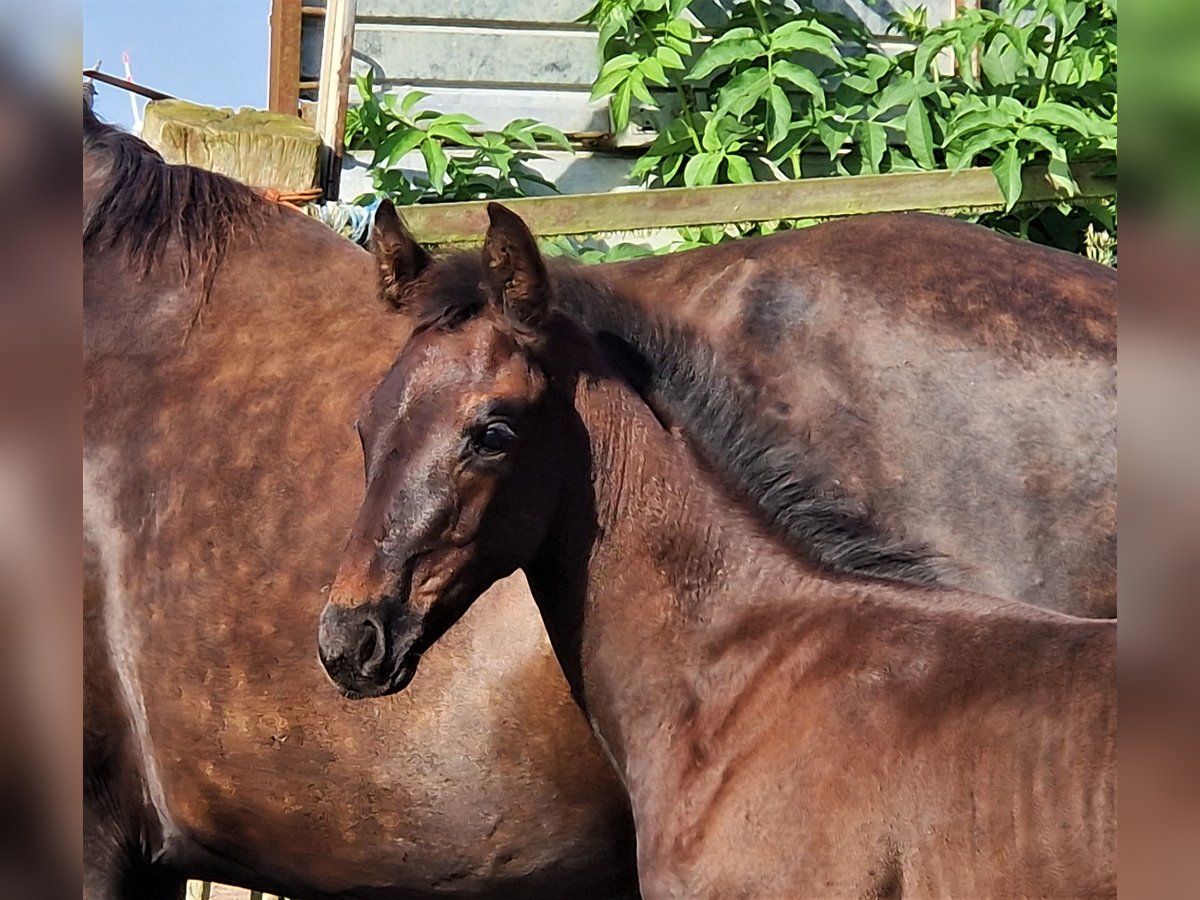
[(461, 161)]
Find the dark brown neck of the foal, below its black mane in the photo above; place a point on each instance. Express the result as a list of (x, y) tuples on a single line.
[(651, 569)]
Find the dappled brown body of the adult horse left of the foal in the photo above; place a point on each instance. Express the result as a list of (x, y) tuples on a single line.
[(220, 469)]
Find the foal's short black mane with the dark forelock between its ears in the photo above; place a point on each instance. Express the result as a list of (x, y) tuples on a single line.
[(685, 381)]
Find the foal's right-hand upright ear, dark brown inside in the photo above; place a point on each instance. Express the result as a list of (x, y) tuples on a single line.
[(517, 273)]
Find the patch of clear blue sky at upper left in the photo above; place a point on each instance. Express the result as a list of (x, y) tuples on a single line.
[(213, 52)]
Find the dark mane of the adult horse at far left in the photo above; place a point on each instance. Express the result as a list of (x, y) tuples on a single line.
[(148, 205)]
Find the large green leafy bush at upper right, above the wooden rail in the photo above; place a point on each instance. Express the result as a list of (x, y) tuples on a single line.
[(779, 89)]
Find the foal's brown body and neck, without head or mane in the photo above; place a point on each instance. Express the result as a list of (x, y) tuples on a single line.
[(782, 736)]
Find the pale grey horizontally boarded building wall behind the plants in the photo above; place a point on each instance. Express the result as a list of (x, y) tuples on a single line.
[(500, 61)]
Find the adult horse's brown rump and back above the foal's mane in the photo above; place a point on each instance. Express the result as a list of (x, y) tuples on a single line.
[(958, 383)]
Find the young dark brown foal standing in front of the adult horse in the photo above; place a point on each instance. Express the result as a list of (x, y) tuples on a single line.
[(795, 701)]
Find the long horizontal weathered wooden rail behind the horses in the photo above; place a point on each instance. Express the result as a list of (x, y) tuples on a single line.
[(811, 199)]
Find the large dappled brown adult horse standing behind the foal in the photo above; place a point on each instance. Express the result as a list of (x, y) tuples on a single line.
[(225, 345)]
